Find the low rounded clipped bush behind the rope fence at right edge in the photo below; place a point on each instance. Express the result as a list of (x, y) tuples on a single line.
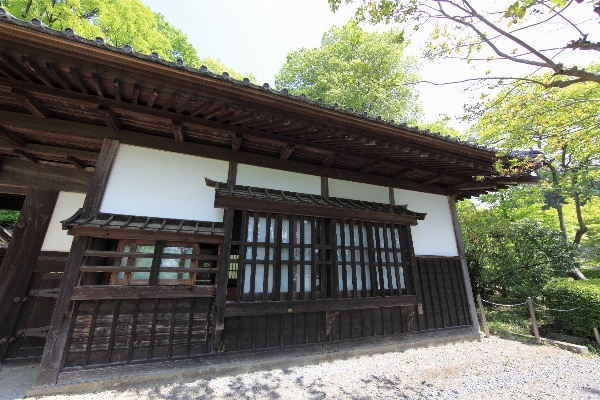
[(564, 294)]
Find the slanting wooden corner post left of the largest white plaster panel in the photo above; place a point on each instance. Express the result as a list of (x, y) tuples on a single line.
[(55, 351)]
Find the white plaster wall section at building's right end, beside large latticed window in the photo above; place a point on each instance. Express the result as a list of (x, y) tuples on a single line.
[(435, 235)]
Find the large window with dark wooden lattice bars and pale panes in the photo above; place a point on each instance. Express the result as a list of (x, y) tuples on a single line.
[(294, 257)]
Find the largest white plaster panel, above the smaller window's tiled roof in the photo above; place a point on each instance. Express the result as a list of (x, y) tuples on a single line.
[(155, 183)]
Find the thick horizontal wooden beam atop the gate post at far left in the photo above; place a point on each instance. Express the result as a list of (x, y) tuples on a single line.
[(24, 174)]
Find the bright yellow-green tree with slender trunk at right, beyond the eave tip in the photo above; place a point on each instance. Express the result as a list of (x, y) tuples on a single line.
[(563, 123)]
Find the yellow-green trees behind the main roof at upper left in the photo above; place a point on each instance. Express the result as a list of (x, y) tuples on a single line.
[(119, 22)]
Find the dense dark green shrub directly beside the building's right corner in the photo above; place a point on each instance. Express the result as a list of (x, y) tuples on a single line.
[(511, 257)]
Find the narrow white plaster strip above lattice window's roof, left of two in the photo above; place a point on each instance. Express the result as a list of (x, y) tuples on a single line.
[(248, 175)]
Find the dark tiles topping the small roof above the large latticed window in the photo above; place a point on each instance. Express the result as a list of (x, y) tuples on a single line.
[(281, 196)]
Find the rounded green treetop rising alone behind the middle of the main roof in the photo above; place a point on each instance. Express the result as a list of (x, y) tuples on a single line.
[(365, 71)]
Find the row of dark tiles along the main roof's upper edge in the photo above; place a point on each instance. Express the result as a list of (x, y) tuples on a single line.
[(70, 34)]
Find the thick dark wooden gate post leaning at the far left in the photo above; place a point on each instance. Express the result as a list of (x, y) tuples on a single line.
[(20, 259)]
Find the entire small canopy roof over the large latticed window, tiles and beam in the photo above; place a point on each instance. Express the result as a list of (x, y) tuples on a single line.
[(268, 200)]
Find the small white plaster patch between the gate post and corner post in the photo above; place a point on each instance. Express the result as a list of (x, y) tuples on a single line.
[(67, 205)]
